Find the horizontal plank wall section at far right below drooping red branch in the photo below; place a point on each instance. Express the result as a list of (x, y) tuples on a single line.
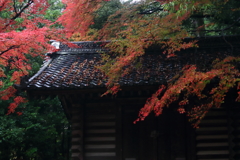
[(218, 137)]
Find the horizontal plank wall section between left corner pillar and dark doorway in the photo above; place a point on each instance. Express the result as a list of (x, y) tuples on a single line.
[(100, 131)]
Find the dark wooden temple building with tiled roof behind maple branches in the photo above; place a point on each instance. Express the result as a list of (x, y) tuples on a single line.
[(102, 127)]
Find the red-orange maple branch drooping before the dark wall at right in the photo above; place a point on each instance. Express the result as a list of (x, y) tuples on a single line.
[(191, 84)]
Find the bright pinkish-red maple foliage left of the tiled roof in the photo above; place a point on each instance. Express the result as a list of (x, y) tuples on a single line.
[(24, 33)]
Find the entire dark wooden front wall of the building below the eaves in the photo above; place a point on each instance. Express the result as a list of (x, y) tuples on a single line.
[(103, 129)]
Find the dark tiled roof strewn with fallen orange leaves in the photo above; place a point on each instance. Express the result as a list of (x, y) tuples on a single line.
[(76, 67)]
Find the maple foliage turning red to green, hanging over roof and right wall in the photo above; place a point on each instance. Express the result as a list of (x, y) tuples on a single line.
[(166, 23)]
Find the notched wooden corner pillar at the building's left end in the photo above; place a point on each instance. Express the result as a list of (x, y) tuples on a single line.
[(77, 132)]
